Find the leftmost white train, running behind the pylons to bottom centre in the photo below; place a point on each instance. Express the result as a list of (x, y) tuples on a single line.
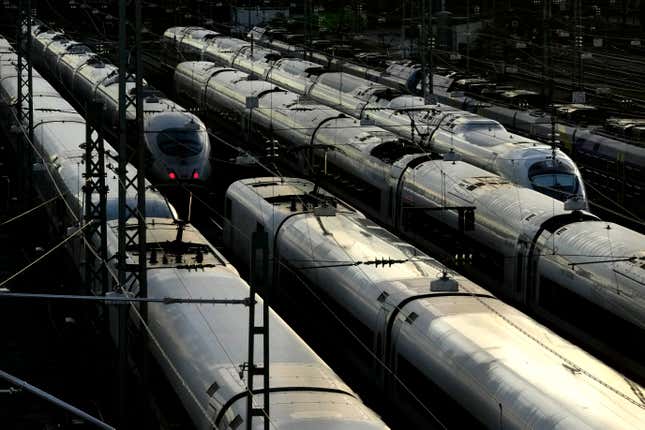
[(200, 347)]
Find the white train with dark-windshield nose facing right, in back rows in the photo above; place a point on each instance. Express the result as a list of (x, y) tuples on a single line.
[(478, 141)]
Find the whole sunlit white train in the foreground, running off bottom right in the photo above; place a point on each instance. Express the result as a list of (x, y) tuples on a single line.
[(466, 355)]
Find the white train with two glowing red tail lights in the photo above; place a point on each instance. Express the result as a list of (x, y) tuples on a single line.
[(177, 141)]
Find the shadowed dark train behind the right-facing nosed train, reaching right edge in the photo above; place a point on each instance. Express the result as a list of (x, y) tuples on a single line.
[(610, 155)]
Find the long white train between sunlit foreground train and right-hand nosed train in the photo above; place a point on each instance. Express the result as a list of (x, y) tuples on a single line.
[(530, 246)]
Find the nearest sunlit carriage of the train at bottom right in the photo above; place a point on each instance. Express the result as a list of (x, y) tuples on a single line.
[(467, 337)]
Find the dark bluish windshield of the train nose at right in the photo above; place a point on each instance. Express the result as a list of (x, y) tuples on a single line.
[(557, 180)]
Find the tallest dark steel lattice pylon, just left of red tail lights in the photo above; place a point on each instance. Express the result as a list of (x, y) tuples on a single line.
[(132, 214)]
